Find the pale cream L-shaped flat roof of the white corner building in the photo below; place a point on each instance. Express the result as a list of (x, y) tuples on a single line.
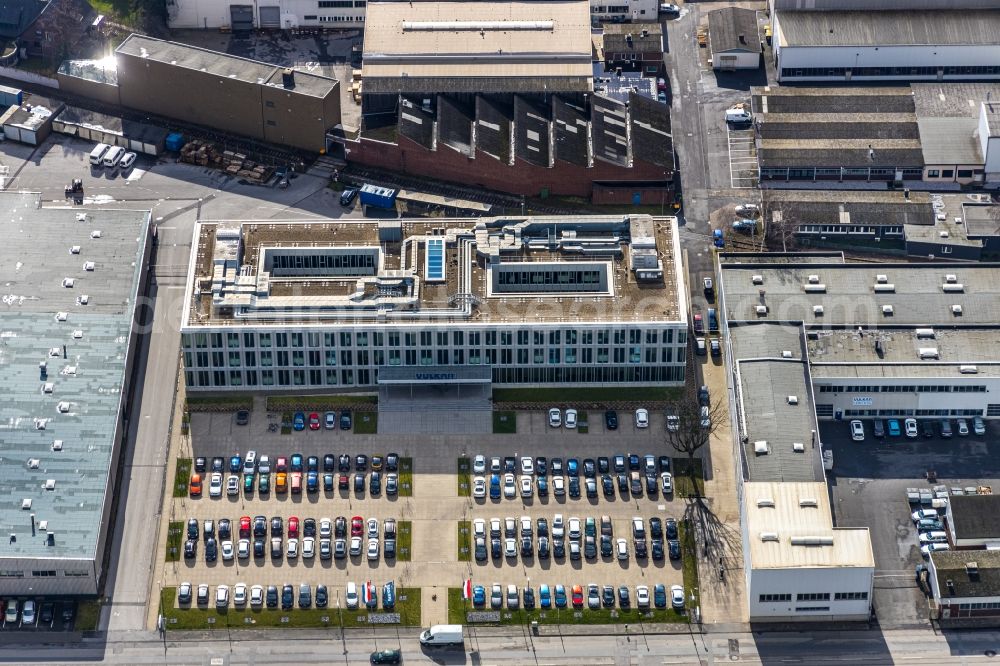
[(790, 525)]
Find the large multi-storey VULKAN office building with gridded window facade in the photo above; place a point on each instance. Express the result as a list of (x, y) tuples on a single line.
[(545, 301)]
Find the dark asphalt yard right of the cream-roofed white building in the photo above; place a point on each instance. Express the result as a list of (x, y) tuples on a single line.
[(869, 483)]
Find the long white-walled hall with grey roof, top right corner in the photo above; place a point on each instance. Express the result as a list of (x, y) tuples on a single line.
[(919, 40)]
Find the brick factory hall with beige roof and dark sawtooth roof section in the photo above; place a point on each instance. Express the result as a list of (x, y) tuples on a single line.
[(501, 96)]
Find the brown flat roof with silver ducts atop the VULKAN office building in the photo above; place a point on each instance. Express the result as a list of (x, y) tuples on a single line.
[(602, 269)]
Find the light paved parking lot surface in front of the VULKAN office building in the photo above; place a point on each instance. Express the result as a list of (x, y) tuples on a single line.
[(434, 563)]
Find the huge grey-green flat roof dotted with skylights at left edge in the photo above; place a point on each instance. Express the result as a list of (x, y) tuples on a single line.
[(85, 371)]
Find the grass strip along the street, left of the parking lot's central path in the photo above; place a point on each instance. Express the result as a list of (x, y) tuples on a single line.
[(407, 605)]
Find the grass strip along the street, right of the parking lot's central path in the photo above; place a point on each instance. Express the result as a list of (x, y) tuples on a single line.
[(457, 608)]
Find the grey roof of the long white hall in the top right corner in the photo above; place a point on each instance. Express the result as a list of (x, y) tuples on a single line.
[(888, 28)]
